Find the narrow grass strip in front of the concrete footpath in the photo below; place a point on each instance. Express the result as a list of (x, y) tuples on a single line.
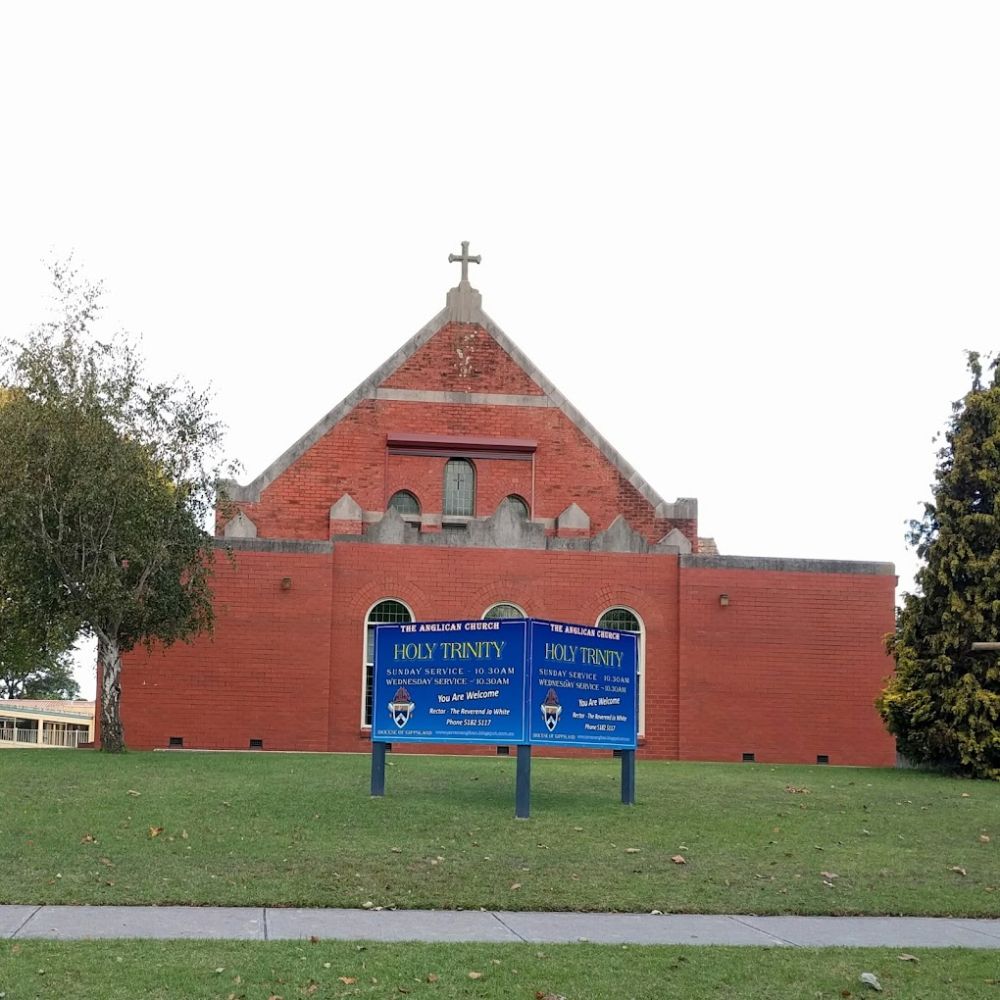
[(139, 970)]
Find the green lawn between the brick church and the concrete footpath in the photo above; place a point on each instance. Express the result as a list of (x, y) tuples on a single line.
[(301, 830)]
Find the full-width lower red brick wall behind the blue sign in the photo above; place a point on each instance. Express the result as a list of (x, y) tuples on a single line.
[(788, 670)]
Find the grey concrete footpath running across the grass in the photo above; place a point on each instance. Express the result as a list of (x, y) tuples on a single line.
[(65, 923)]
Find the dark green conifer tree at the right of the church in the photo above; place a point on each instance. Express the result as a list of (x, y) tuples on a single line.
[(943, 702)]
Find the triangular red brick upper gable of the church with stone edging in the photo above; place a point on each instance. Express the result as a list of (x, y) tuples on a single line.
[(458, 389)]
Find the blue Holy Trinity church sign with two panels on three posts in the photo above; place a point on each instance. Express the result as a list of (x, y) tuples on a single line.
[(515, 681)]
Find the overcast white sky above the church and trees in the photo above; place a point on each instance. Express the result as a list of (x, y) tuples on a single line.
[(749, 241)]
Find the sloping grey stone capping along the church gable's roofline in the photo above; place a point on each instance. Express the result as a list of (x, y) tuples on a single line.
[(684, 508)]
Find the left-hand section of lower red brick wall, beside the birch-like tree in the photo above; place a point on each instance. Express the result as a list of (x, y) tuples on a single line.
[(263, 674)]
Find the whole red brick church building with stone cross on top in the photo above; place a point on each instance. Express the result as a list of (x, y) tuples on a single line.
[(457, 482)]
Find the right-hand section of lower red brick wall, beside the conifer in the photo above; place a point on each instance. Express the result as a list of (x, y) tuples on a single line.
[(789, 670)]
